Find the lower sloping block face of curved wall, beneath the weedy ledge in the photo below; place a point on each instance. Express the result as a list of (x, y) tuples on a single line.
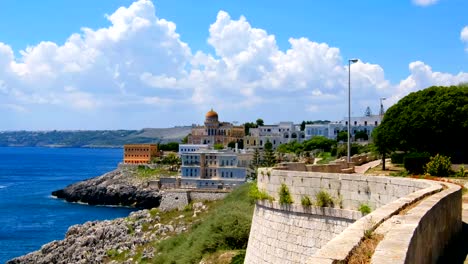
[(291, 234)]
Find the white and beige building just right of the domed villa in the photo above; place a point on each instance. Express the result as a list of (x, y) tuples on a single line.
[(282, 133)]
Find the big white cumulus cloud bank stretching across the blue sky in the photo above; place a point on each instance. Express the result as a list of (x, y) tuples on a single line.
[(139, 63)]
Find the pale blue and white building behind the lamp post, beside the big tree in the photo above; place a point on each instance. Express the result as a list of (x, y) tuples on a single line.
[(364, 123)]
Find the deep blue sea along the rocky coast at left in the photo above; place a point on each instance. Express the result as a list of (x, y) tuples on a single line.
[(29, 215)]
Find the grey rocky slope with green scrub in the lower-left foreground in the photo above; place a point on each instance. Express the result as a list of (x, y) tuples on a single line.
[(132, 238)]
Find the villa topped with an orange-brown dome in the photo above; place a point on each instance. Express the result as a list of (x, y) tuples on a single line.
[(216, 132)]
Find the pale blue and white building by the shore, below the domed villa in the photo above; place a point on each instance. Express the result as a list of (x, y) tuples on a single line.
[(214, 169)]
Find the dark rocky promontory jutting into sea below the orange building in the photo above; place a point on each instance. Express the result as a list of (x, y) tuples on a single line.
[(118, 187)]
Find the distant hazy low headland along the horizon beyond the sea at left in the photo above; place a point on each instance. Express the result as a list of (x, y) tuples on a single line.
[(91, 138)]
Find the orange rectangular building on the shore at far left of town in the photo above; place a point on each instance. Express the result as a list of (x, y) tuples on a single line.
[(140, 153)]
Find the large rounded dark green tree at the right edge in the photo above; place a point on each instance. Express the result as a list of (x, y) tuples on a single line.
[(434, 120)]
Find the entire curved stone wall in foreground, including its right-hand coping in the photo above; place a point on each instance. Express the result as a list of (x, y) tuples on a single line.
[(289, 235)]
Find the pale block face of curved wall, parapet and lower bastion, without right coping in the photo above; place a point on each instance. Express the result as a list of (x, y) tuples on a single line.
[(281, 235)]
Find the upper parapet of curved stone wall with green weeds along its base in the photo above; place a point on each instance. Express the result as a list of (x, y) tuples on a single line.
[(352, 189)]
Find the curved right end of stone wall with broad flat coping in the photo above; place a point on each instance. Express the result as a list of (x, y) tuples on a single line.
[(422, 233)]
